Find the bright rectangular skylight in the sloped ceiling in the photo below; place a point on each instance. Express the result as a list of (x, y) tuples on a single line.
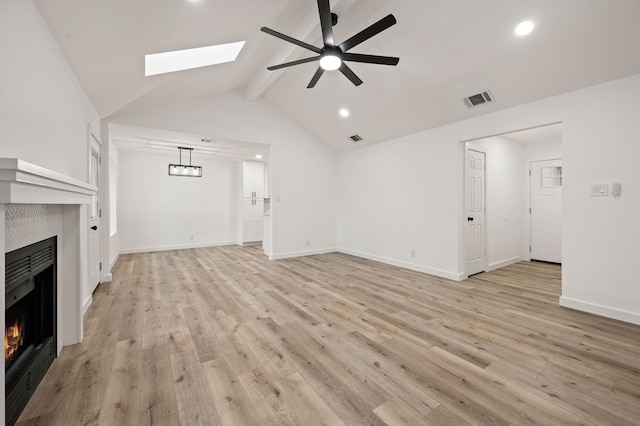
[(178, 60)]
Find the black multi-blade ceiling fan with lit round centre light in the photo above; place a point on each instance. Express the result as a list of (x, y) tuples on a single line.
[(332, 56)]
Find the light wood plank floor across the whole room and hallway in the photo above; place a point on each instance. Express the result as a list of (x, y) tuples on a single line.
[(224, 336)]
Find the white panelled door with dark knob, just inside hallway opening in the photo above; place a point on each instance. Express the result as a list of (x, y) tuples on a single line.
[(475, 211)]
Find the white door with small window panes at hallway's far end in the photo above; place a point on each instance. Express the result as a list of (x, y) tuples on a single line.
[(546, 210)]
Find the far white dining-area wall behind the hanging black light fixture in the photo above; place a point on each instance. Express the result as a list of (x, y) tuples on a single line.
[(157, 211)]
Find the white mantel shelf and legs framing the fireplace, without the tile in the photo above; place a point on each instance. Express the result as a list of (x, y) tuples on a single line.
[(25, 183)]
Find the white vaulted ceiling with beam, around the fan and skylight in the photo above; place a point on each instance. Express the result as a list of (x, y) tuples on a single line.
[(448, 50)]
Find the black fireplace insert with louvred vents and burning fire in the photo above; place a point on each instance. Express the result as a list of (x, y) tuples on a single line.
[(30, 322)]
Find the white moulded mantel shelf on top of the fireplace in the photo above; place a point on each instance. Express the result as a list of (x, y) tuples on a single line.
[(25, 183)]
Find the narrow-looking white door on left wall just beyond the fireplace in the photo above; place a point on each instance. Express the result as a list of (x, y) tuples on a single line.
[(94, 220)]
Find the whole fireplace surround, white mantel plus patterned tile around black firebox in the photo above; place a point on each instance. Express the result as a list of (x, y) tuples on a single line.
[(35, 204)]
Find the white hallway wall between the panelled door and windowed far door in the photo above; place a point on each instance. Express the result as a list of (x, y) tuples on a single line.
[(504, 200)]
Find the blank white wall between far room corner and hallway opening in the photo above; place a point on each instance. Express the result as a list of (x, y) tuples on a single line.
[(401, 199)]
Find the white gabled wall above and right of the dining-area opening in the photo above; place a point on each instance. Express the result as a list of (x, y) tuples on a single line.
[(302, 169)]
